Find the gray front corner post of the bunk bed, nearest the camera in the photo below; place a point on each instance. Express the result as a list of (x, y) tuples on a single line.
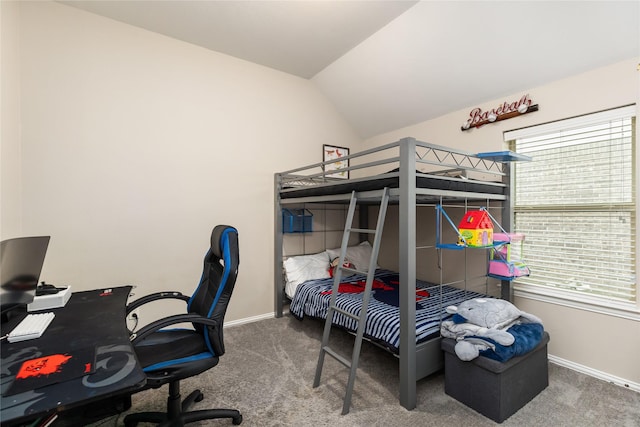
[(407, 272)]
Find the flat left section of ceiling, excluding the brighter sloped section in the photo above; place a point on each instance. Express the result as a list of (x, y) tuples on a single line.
[(299, 37)]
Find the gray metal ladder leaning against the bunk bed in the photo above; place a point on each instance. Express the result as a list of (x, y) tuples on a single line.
[(360, 318)]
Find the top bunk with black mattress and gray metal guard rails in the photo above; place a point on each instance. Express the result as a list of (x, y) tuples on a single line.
[(437, 170)]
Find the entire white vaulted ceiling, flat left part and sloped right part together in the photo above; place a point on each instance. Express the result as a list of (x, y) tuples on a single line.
[(392, 63)]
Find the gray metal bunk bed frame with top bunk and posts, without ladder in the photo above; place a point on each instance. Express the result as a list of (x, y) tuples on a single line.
[(414, 173)]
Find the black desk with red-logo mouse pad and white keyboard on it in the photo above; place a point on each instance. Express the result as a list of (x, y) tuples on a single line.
[(91, 319)]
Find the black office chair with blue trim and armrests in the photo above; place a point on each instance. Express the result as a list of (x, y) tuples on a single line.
[(167, 356)]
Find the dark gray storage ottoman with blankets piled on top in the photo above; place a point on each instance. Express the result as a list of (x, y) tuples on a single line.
[(496, 390)]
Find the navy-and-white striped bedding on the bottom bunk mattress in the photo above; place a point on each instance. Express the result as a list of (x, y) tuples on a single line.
[(383, 316)]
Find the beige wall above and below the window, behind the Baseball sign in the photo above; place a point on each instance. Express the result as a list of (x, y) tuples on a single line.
[(591, 341)]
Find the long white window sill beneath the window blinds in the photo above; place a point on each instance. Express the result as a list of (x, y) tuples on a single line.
[(618, 309)]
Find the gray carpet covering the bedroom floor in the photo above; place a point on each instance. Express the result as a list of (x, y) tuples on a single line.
[(267, 374)]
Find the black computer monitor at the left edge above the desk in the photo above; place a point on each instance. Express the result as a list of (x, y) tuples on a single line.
[(21, 261)]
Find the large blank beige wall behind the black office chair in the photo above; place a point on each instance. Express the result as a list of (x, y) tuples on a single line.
[(135, 145)]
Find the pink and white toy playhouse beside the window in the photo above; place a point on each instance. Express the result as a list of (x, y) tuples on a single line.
[(506, 258)]
